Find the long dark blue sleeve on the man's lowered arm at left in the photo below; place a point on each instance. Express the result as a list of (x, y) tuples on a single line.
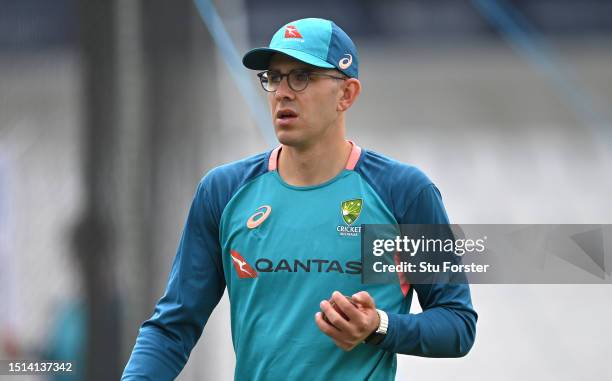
[(195, 286)]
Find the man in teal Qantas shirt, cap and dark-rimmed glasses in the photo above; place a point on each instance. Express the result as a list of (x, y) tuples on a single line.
[(279, 230)]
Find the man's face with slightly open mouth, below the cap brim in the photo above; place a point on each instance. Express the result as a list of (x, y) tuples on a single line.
[(305, 117)]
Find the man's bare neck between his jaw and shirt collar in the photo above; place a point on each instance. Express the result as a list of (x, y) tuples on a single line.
[(315, 164)]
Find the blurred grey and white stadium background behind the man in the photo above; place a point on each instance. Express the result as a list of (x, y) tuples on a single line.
[(111, 111)]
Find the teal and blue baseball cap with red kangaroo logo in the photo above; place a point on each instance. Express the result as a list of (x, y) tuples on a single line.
[(315, 41)]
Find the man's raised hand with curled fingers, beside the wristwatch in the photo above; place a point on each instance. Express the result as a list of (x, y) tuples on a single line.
[(363, 319)]
